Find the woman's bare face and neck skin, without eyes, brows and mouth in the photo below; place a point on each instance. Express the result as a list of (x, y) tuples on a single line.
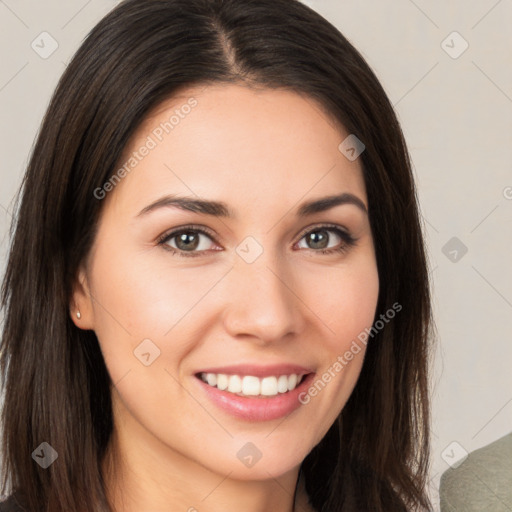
[(262, 152)]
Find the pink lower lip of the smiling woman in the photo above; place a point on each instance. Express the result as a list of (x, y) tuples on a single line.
[(257, 409)]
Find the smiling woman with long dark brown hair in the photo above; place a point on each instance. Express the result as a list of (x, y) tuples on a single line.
[(217, 295)]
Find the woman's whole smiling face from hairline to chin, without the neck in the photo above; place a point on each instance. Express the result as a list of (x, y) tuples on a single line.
[(242, 296)]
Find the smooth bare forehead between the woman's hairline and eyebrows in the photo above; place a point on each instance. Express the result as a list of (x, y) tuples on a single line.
[(237, 144)]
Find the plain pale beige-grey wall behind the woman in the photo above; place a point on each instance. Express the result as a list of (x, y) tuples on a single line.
[(455, 107)]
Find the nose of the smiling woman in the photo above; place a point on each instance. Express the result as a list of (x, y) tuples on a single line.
[(262, 304)]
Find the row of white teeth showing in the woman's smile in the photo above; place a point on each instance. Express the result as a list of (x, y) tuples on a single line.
[(249, 385)]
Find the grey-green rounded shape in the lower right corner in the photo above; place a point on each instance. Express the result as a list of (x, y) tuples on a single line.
[(481, 481)]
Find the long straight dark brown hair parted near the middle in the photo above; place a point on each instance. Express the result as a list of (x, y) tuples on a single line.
[(57, 387)]
